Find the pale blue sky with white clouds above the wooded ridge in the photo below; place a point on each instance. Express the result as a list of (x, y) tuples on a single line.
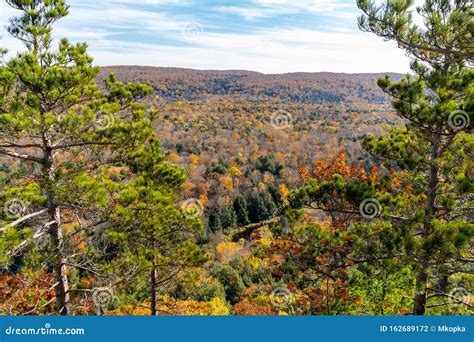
[(269, 36)]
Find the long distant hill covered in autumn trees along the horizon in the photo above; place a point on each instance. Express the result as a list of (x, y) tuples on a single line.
[(245, 86)]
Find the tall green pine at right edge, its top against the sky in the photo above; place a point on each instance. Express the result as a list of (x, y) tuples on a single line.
[(435, 149)]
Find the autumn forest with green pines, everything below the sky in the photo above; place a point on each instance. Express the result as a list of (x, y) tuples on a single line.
[(133, 190)]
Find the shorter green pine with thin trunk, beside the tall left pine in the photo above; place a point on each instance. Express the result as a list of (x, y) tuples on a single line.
[(155, 236)]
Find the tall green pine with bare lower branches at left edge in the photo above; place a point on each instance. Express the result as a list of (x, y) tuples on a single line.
[(55, 120)]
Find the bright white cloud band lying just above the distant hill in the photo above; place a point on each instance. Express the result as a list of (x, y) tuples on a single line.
[(268, 52)]
